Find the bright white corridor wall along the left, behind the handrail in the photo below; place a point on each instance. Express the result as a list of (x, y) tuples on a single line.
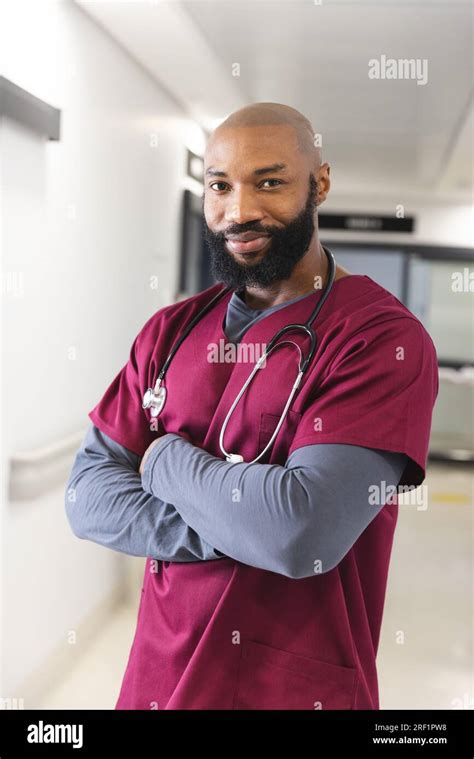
[(87, 220)]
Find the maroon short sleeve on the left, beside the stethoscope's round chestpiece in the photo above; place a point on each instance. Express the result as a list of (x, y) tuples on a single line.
[(119, 413)]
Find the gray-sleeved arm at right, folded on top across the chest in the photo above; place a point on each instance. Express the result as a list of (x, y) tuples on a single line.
[(294, 520)]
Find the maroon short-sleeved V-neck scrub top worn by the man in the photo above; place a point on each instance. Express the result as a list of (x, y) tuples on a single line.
[(224, 635)]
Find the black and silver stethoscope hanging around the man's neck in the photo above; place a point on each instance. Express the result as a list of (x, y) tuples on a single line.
[(155, 398)]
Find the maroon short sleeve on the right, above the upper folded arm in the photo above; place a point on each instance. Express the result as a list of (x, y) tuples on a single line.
[(379, 392)]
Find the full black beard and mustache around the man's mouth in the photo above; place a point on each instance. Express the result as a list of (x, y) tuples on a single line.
[(287, 246)]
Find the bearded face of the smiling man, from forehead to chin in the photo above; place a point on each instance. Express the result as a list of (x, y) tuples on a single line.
[(257, 224)]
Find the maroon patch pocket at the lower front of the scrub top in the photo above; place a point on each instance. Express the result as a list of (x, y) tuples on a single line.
[(270, 678)]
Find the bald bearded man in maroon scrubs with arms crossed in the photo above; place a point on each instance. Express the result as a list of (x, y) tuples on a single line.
[(265, 583)]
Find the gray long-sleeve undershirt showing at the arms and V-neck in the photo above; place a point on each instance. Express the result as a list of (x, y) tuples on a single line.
[(309, 511)]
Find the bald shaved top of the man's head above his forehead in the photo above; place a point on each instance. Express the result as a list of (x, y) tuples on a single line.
[(276, 114)]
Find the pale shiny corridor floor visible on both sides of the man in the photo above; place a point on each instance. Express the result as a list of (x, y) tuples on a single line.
[(425, 653)]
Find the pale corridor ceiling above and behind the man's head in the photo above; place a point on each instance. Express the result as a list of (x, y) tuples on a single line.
[(381, 136)]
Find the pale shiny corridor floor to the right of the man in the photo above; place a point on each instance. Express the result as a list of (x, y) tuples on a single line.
[(425, 655)]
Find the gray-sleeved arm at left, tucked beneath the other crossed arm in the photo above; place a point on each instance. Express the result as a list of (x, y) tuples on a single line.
[(105, 503)]
